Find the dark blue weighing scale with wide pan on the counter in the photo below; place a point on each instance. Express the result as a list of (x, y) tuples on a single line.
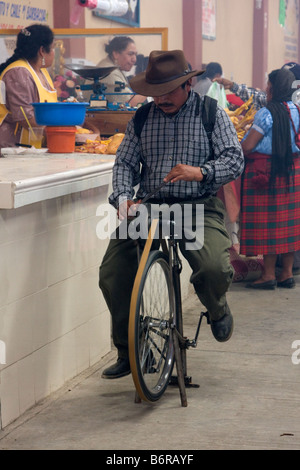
[(98, 101)]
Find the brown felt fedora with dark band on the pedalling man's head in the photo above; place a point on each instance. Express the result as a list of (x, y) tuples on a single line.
[(166, 71)]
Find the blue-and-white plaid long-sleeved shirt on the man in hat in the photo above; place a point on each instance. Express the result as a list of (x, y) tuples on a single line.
[(166, 141)]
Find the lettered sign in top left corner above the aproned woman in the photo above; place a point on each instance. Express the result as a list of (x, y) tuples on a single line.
[(18, 14)]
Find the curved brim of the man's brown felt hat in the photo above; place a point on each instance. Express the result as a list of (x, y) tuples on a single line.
[(140, 85)]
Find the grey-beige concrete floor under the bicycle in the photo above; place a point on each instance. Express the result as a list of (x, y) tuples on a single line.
[(249, 395)]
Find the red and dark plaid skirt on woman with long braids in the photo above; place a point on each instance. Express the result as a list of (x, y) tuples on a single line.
[(269, 223)]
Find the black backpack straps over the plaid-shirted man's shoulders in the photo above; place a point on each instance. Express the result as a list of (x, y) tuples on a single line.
[(209, 111)]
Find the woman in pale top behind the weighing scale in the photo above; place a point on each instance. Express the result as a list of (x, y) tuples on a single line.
[(122, 53)]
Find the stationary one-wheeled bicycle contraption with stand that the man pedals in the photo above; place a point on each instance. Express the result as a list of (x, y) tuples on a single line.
[(145, 318)]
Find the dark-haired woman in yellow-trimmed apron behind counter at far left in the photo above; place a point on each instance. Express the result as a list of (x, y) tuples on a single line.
[(24, 80)]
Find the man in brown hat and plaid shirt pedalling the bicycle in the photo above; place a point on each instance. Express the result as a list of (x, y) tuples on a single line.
[(173, 147)]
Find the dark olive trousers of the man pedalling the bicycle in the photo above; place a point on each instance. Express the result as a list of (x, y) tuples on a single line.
[(211, 275)]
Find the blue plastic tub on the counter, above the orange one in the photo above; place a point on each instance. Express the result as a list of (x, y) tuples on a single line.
[(60, 114)]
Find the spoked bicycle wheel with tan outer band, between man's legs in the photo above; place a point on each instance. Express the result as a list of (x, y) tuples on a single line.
[(151, 348)]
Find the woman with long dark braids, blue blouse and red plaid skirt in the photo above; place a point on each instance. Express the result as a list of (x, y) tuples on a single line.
[(270, 214)]
